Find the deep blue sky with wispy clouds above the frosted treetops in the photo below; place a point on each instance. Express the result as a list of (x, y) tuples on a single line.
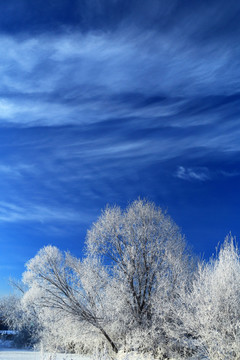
[(105, 101)]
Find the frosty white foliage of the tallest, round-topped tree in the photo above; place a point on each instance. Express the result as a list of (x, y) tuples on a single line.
[(141, 244)]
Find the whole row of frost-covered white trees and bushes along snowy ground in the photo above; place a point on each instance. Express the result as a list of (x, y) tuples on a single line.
[(137, 288)]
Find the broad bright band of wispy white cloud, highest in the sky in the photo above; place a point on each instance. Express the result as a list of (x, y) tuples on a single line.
[(75, 78)]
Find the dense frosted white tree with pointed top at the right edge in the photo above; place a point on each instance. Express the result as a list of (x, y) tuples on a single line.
[(213, 306)]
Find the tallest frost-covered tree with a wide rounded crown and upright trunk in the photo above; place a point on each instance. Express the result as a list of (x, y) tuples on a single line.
[(147, 257)]
